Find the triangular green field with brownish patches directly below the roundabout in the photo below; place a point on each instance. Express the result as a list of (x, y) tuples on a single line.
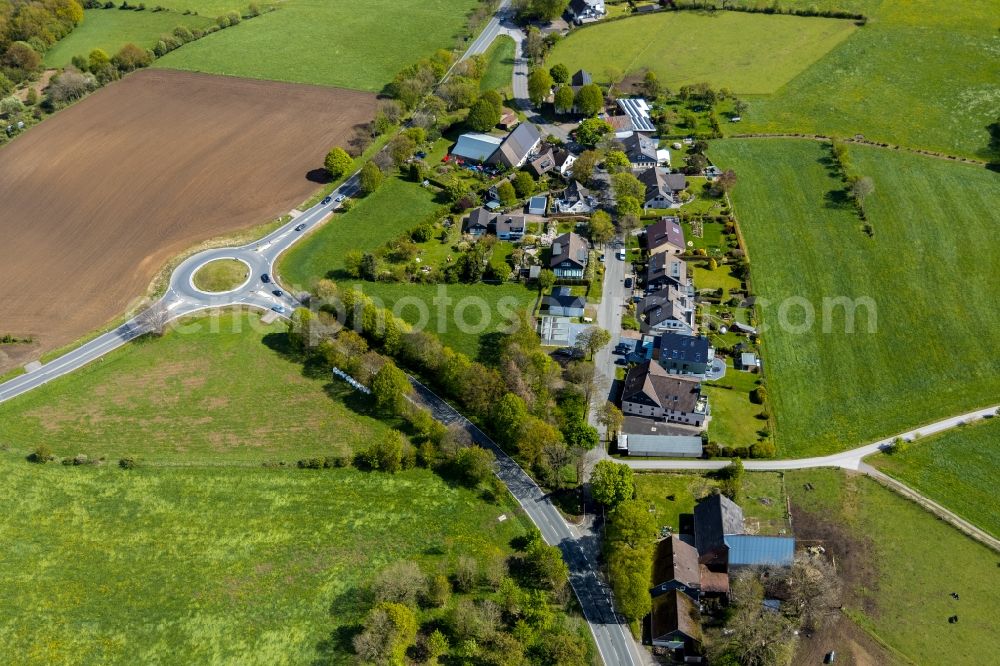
[(214, 389)]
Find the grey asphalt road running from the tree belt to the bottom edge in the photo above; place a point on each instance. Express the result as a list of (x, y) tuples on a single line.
[(614, 641)]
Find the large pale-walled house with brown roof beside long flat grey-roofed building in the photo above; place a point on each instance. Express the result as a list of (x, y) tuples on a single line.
[(652, 392)]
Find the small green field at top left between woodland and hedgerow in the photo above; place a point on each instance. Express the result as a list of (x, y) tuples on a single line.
[(111, 29)]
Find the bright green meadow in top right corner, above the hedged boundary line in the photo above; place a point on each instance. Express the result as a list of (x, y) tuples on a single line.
[(876, 83)]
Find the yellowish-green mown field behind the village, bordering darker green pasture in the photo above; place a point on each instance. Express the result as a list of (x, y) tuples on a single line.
[(747, 53)]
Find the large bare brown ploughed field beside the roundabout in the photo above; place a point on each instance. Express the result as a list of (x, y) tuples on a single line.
[(96, 199)]
